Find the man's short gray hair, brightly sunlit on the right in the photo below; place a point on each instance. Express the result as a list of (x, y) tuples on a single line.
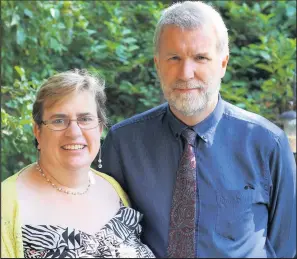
[(192, 15)]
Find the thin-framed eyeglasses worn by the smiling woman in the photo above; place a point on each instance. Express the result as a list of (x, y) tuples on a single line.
[(85, 122)]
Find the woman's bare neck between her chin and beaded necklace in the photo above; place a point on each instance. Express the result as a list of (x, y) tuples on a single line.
[(74, 179)]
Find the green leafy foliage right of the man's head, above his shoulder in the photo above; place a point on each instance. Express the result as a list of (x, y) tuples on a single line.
[(261, 71)]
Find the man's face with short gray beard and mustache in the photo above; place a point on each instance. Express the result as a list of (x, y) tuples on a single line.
[(190, 68)]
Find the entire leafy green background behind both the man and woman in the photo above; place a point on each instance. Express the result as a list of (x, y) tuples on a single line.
[(114, 39)]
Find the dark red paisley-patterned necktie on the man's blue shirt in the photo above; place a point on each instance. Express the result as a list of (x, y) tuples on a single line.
[(183, 209)]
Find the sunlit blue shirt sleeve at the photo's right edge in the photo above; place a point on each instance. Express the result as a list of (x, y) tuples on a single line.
[(282, 211)]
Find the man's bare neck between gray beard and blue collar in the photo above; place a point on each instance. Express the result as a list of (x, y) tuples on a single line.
[(197, 117)]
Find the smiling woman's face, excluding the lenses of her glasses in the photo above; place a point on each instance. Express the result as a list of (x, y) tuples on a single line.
[(73, 148)]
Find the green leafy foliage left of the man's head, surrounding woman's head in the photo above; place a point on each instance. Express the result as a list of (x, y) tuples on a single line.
[(44, 37)]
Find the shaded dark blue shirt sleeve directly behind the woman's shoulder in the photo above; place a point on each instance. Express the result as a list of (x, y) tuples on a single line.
[(111, 163)]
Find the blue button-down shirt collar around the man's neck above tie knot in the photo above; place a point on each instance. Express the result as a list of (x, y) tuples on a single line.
[(205, 129)]
